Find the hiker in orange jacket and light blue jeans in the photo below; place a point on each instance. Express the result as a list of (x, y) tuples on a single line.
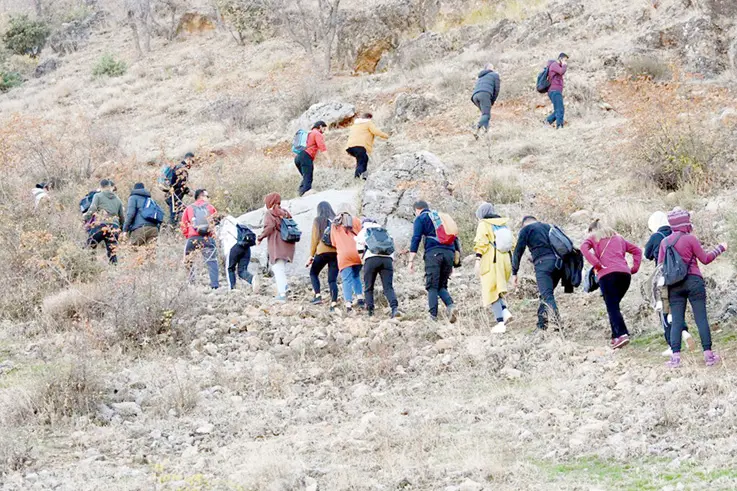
[(343, 231)]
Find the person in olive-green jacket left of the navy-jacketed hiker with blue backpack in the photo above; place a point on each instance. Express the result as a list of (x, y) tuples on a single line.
[(103, 219)]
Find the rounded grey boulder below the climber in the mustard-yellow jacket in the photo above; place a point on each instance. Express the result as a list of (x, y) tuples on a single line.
[(394, 187)]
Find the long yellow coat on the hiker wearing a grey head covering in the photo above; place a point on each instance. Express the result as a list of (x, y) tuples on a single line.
[(496, 267)]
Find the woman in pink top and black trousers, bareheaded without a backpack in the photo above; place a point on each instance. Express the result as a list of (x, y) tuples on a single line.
[(607, 251)]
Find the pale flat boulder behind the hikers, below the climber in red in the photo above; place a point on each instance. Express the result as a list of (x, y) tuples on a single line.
[(303, 210)]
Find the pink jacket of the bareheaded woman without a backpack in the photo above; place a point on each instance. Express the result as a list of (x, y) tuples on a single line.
[(610, 255)]
